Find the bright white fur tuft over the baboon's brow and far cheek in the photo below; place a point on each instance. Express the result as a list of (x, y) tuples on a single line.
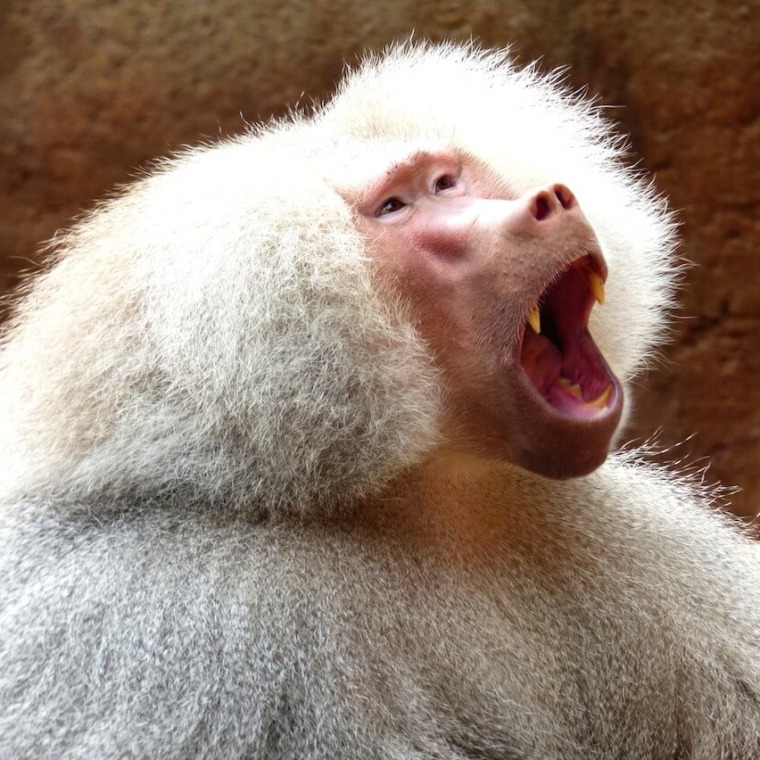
[(531, 131)]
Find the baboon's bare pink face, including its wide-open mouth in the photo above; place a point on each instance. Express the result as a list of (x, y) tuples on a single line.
[(474, 261)]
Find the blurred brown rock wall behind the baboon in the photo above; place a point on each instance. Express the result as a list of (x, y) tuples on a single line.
[(93, 90)]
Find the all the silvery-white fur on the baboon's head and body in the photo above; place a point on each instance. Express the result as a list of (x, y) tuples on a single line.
[(230, 526)]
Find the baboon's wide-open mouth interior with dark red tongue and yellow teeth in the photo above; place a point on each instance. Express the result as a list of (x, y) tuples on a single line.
[(558, 355)]
